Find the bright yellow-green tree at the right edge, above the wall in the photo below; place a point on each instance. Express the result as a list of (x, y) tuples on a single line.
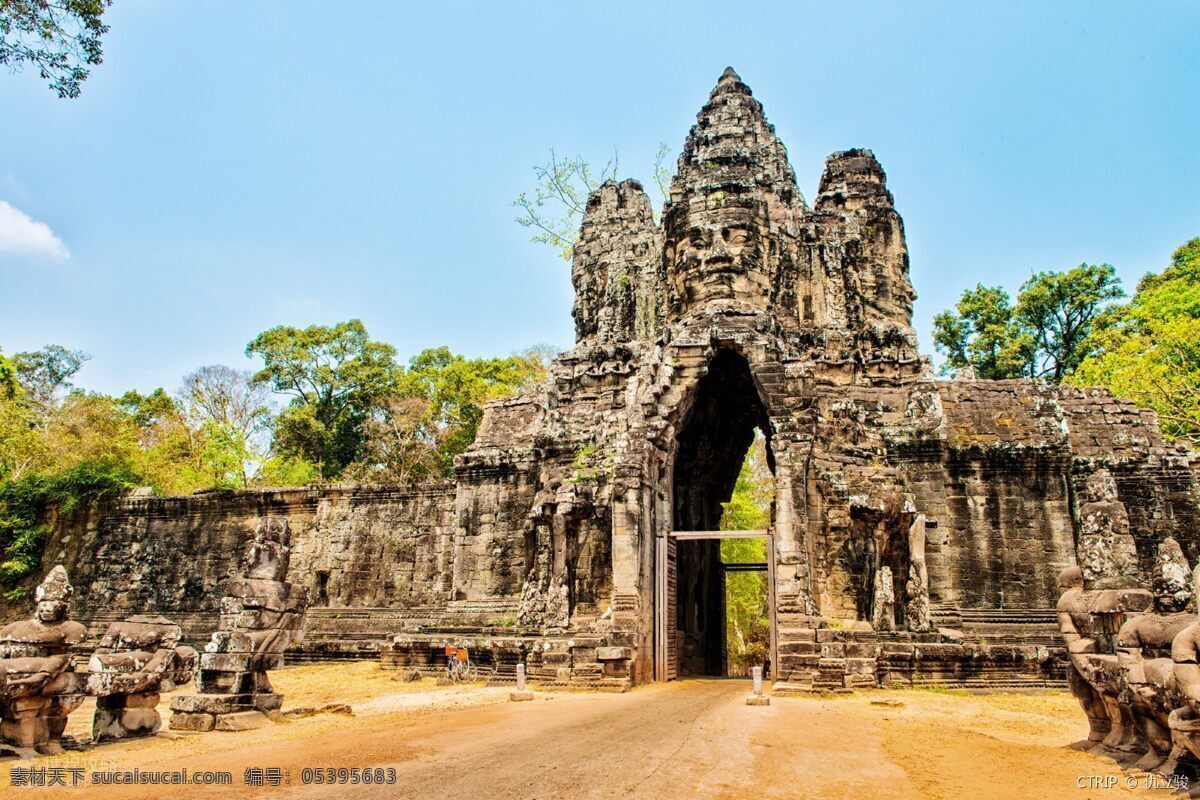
[(1149, 350)]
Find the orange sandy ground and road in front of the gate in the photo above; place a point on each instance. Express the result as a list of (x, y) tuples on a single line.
[(689, 739)]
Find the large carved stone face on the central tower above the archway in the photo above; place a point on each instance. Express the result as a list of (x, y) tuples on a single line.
[(717, 256)]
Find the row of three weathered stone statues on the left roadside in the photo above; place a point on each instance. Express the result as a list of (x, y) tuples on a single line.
[(141, 658)]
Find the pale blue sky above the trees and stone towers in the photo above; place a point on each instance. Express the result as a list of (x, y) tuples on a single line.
[(236, 166)]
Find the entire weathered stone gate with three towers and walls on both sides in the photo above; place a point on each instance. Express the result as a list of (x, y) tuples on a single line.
[(919, 526)]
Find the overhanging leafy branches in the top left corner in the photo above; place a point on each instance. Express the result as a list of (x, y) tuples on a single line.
[(62, 39)]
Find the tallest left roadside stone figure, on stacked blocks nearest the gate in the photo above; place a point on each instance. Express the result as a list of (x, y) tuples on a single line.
[(261, 617)]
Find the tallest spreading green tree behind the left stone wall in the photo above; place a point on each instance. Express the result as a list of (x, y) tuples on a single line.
[(335, 377)]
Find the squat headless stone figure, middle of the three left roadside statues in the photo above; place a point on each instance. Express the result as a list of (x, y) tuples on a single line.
[(136, 661)]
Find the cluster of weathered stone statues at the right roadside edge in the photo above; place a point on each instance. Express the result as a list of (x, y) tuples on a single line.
[(1132, 653)]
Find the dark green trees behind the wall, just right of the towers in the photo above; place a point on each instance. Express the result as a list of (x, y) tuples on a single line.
[(1045, 335)]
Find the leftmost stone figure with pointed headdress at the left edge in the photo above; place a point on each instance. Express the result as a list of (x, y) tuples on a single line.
[(41, 687)]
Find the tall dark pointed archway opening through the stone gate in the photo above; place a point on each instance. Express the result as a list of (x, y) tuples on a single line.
[(705, 574)]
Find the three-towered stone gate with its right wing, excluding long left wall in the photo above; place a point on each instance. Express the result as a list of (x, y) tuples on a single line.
[(751, 310)]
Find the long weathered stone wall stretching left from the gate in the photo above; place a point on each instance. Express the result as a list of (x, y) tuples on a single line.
[(351, 546)]
